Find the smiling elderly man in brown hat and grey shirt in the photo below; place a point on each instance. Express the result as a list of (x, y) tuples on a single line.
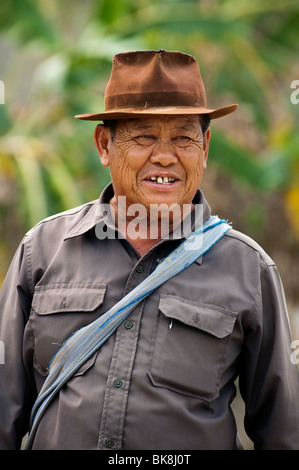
[(163, 376)]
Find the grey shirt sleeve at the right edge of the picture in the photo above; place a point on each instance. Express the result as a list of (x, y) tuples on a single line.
[(269, 381)]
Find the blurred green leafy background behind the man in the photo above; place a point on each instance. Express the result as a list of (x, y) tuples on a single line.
[(55, 63)]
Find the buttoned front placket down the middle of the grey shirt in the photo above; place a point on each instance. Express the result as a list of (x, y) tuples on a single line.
[(118, 381)]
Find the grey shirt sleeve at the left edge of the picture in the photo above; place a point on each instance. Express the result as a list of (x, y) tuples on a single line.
[(15, 390)]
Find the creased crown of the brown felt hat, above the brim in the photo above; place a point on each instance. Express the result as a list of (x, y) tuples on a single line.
[(150, 79)]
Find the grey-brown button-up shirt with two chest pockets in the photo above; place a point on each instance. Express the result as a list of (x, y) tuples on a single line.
[(165, 379)]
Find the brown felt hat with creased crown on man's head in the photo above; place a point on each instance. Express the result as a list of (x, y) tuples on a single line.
[(145, 83)]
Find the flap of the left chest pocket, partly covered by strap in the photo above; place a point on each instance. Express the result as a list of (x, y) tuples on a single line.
[(67, 298)]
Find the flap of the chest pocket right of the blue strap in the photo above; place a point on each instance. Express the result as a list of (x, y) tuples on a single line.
[(209, 318)]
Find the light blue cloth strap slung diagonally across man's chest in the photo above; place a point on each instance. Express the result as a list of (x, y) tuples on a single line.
[(86, 341)]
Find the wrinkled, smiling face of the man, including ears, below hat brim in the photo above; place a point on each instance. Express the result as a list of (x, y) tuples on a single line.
[(155, 160)]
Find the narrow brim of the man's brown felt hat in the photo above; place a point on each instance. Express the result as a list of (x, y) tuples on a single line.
[(175, 110)]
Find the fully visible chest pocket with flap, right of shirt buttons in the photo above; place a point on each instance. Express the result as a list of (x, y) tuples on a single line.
[(189, 347)]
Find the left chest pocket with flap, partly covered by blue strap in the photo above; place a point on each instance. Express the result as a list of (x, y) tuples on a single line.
[(57, 312)]
